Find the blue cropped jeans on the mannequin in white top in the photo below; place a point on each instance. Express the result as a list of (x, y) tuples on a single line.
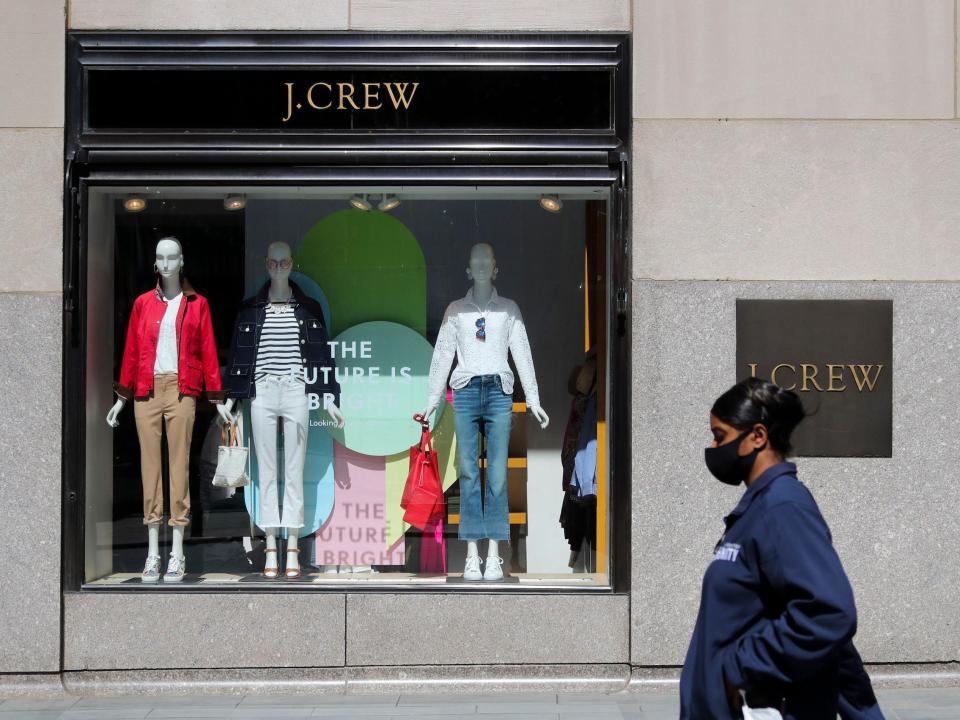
[(483, 401)]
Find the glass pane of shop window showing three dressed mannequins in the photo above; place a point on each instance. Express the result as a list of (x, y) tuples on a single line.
[(309, 308)]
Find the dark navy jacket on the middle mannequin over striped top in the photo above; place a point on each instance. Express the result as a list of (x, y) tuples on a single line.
[(314, 347)]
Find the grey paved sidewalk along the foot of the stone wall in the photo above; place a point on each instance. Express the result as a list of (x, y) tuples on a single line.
[(933, 704)]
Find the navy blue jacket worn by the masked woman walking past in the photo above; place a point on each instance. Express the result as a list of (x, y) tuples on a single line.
[(776, 609)]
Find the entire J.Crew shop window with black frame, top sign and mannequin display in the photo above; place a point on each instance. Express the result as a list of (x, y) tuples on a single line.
[(347, 310)]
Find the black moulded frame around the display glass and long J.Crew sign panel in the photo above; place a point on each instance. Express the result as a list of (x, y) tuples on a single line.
[(425, 158)]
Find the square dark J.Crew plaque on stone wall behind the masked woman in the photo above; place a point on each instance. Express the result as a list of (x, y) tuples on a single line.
[(837, 356)]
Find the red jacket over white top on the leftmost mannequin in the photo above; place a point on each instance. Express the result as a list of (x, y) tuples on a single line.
[(198, 368)]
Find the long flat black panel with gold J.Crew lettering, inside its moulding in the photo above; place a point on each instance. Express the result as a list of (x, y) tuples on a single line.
[(242, 99)]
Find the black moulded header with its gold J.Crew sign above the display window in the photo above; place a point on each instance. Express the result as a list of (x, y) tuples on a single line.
[(477, 93)]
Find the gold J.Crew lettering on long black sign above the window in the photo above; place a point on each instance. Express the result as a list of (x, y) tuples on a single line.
[(350, 97)]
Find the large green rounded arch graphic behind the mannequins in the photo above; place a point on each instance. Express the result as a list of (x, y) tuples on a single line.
[(370, 266)]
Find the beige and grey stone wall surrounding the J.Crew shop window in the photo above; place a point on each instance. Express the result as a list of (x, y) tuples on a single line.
[(781, 149)]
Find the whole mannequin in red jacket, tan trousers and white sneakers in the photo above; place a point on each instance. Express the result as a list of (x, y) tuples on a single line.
[(169, 359)]
